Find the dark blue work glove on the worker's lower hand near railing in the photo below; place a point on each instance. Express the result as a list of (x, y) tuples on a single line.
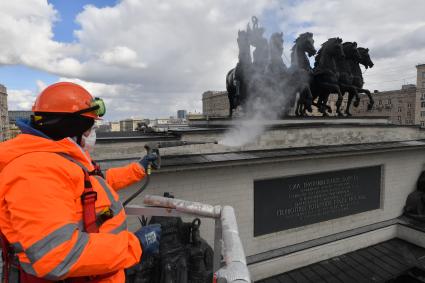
[(149, 237)]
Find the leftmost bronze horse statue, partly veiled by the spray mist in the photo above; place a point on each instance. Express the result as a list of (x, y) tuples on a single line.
[(238, 78)]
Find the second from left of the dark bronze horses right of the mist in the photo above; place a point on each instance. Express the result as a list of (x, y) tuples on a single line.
[(325, 75)]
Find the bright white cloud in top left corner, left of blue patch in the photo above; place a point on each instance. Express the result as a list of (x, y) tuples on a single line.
[(26, 33)]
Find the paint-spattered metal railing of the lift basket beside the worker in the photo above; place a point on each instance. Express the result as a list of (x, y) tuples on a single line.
[(226, 236)]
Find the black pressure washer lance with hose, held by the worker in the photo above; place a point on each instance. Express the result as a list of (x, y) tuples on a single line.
[(153, 148)]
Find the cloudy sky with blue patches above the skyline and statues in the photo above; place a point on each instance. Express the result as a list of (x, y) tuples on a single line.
[(148, 58)]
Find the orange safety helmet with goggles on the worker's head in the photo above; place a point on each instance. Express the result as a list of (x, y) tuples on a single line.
[(66, 97)]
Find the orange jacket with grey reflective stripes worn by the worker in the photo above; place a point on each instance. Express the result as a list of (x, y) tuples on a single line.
[(41, 211)]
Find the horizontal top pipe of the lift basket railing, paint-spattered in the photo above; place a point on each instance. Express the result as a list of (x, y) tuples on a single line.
[(191, 207)]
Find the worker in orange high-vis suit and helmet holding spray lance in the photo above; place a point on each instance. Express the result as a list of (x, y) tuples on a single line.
[(61, 217)]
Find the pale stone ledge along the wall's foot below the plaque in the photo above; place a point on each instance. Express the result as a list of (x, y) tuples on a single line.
[(287, 258)]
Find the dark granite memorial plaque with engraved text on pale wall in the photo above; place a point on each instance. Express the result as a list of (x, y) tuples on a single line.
[(289, 202)]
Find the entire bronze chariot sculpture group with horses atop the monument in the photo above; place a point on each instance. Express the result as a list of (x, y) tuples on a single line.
[(265, 80)]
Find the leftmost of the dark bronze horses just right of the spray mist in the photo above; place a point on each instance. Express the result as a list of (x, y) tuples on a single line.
[(302, 71)]
